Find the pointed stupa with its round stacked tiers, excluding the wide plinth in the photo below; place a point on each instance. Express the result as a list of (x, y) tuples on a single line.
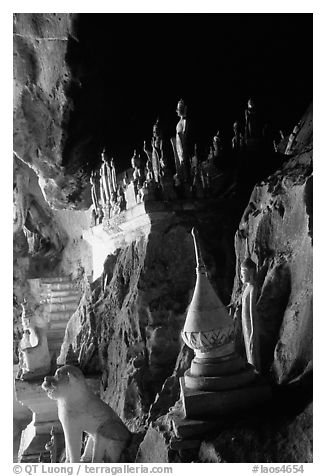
[(209, 330)]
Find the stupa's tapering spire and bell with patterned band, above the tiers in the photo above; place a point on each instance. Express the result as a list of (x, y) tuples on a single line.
[(208, 324)]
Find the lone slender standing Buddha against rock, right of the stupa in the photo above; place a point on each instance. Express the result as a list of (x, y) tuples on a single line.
[(249, 316)]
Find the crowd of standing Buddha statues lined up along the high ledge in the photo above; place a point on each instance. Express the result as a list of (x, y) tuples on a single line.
[(153, 179)]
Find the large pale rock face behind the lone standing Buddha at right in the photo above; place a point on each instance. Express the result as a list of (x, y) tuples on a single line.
[(278, 226)]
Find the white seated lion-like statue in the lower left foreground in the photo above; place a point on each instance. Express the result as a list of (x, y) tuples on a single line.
[(81, 411)]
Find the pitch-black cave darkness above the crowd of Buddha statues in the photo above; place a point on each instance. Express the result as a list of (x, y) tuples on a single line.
[(127, 70)]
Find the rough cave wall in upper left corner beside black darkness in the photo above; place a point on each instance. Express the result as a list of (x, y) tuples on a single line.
[(43, 85)]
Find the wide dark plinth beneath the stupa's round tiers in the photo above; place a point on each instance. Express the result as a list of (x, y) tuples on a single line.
[(199, 404)]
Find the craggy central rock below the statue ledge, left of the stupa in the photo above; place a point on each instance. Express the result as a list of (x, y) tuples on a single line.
[(135, 322)]
